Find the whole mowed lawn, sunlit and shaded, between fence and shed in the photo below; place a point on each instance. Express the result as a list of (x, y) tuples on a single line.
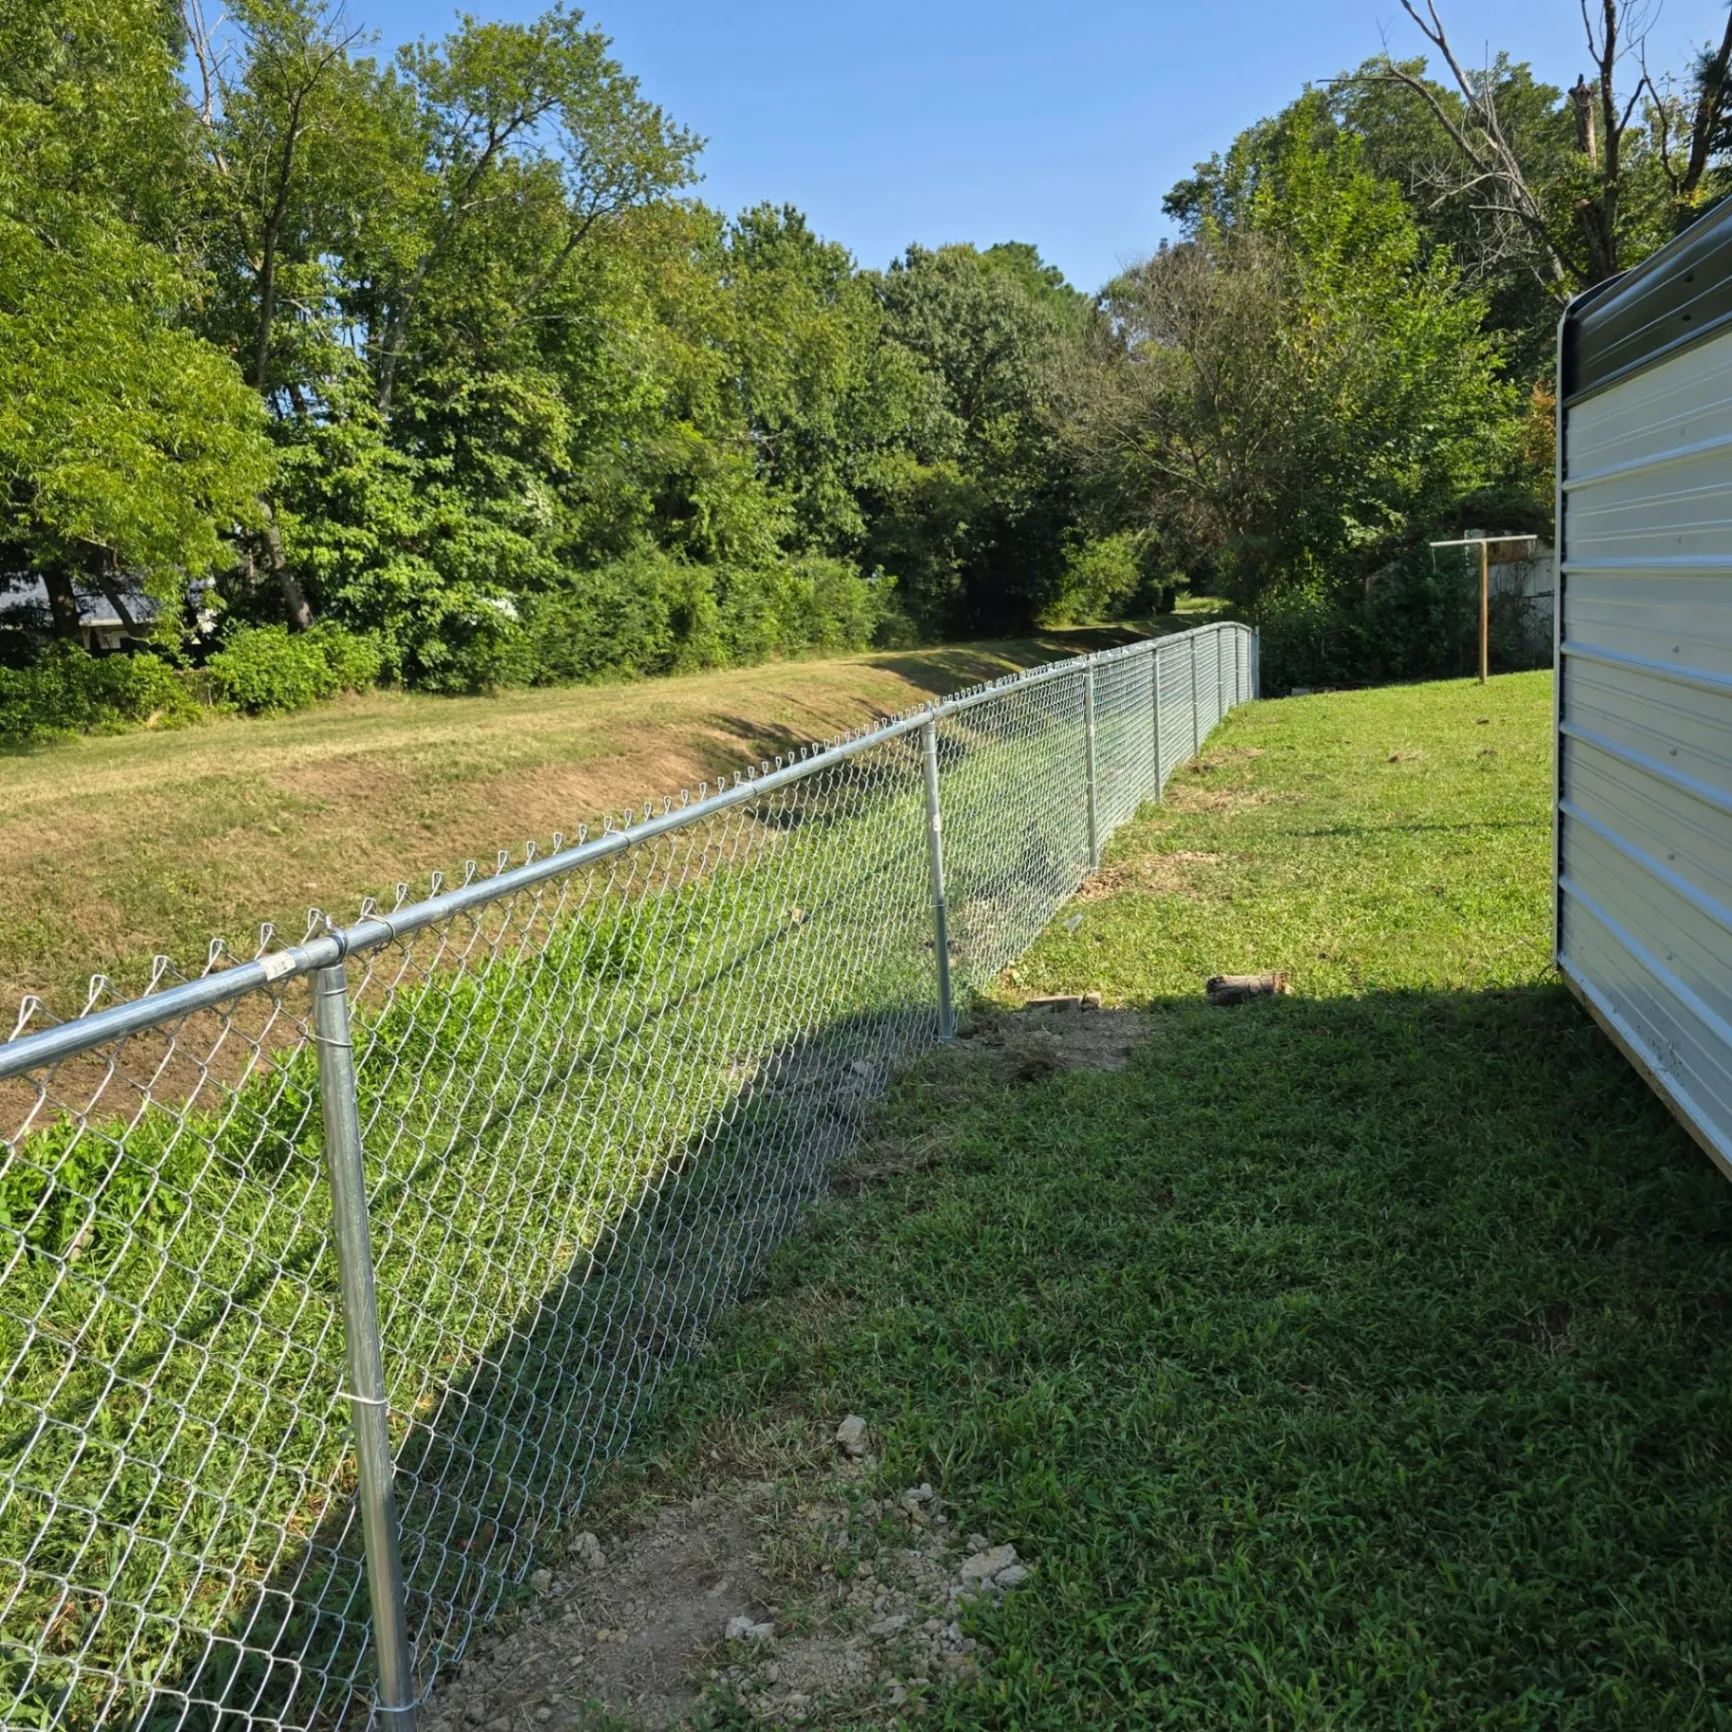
[(1348, 1360)]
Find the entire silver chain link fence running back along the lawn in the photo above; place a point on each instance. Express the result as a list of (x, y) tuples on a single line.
[(330, 1276)]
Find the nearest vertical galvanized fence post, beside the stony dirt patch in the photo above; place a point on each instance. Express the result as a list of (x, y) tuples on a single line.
[(363, 1350)]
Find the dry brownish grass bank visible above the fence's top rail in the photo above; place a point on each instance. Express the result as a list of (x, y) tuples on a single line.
[(124, 848)]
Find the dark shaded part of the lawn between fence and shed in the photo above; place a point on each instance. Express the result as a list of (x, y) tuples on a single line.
[(1362, 1354)]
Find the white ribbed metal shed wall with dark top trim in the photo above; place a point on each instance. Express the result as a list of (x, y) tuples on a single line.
[(1645, 671)]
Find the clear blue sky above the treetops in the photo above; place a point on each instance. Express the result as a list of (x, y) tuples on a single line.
[(1000, 120)]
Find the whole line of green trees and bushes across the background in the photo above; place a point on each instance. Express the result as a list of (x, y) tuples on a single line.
[(436, 368)]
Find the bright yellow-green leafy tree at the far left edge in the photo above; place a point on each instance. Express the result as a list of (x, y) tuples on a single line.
[(129, 446)]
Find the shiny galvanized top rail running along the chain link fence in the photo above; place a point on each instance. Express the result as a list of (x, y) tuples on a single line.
[(155, 1009)]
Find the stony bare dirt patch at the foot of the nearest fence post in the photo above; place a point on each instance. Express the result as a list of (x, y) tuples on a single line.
[(773, 1603)]
